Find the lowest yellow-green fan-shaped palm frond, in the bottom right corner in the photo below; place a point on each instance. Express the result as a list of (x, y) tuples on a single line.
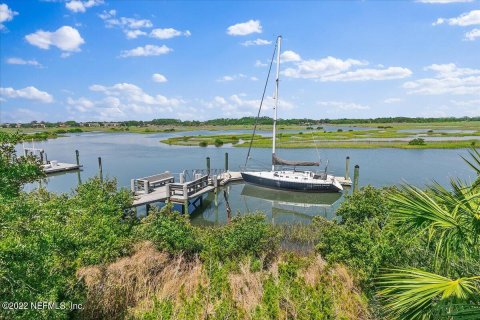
[(414, 294)]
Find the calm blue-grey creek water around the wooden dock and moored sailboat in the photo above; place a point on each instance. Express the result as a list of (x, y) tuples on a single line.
[(127, 155)]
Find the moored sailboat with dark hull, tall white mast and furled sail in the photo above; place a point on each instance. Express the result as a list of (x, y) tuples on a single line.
[(295, 180)]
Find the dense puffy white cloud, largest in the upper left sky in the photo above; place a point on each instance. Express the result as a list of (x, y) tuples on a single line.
[(65, 38)]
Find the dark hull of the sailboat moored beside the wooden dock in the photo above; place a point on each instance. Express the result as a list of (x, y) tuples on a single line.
[(289, 185)]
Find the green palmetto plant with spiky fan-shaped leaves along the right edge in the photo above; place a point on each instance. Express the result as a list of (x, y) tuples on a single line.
[(450, 221)]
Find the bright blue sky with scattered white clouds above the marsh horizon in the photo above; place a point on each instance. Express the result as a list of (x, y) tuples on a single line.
[(117, 60)]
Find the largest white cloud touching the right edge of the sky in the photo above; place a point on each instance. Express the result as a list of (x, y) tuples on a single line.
[(448, 79)]
